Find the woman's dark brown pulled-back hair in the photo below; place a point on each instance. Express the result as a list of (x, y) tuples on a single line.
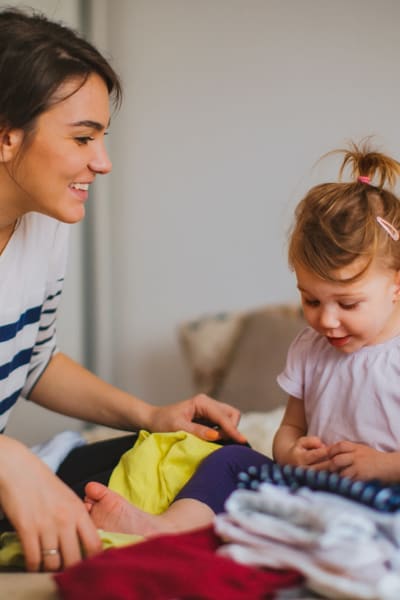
[(37, 56)]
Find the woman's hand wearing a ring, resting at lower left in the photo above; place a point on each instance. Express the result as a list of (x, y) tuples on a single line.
[(46, 514)]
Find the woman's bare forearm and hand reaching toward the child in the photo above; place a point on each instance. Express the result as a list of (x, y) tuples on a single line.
[(68, 388)]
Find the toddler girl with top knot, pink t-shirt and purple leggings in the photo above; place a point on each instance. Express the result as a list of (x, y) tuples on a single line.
[(342, 372)]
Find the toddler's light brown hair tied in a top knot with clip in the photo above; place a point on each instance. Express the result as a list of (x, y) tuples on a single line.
[(336, 223)]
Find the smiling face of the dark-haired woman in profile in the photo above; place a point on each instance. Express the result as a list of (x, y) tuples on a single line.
[(66, 152)]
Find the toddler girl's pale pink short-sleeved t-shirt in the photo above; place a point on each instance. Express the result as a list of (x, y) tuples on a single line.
[(352, 397)]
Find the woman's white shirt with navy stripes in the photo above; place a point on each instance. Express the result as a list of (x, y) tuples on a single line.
[(32, 268)]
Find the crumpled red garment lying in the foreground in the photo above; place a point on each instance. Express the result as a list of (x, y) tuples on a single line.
[(182, 566)]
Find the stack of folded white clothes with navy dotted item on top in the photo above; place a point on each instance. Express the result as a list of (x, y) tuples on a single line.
[(342, 535)]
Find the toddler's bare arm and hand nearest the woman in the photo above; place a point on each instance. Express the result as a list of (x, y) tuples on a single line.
[(291, 444)]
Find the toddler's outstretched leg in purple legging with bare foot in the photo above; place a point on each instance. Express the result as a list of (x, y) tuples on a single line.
[(195, 506)]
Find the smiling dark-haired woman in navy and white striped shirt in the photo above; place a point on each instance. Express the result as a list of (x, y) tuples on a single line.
[(54, 113)]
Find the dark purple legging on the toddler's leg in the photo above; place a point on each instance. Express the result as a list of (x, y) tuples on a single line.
[(217, 476)]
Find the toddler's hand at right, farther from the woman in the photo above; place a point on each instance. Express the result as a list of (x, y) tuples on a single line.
[(358, 461)]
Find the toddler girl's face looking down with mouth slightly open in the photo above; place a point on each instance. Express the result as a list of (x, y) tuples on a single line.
[(352, 315)]
